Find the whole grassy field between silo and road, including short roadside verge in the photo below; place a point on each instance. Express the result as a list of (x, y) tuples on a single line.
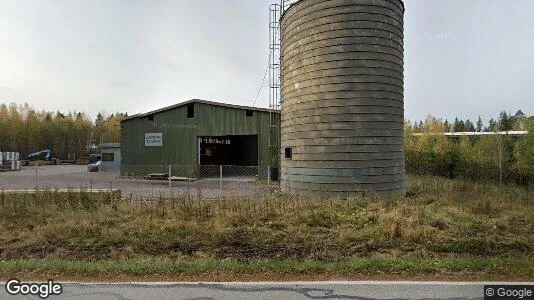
[(441, 227)]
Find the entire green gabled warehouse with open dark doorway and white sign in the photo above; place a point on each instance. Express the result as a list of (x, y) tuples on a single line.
[(196, 133)]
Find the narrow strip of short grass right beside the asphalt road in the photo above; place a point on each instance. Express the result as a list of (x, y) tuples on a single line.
[(483, 269)]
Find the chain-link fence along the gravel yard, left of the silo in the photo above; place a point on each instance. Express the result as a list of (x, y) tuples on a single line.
[(151, 182)]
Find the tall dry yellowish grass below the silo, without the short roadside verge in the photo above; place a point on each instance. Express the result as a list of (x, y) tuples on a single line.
[(438, 218)]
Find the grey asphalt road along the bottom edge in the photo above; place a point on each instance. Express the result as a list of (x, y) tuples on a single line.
[(279, 290)]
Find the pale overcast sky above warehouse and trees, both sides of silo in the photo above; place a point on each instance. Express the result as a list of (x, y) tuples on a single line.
[(463, 58)]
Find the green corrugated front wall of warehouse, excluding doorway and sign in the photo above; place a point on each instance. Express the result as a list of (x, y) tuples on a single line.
[(180, 134)]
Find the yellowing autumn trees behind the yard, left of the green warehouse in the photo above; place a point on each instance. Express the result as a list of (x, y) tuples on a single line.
[(69, 135)]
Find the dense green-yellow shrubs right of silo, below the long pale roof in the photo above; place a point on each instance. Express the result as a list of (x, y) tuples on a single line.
[(490, 158)]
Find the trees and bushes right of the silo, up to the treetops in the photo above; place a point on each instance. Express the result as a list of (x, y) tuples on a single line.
[(497, 158)]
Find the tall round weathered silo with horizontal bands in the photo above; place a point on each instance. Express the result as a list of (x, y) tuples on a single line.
[(342, 124)]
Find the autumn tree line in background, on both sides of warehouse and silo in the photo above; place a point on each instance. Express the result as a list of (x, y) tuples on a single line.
[(72, 135)]
